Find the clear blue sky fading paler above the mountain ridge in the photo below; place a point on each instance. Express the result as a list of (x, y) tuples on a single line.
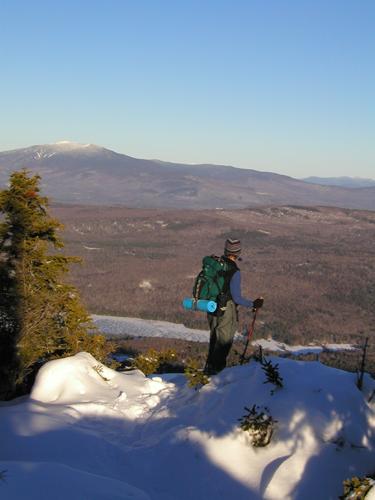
[(284, 86)]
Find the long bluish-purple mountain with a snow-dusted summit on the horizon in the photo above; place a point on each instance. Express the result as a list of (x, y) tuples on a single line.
[(89, 174)]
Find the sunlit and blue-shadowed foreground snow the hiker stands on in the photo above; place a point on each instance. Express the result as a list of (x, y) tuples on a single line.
[(87, 431)]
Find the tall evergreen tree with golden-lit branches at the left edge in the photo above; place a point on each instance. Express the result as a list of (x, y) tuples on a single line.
[(41, 316)]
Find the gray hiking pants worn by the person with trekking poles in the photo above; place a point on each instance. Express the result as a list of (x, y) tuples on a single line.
[(222, 330)]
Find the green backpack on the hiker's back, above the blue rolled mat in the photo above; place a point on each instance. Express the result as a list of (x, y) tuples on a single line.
[(212, 282)]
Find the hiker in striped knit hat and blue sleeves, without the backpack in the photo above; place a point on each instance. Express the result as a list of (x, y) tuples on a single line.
[(224, 322)]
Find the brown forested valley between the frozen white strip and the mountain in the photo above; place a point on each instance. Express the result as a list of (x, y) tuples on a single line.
[(315, 267)]
